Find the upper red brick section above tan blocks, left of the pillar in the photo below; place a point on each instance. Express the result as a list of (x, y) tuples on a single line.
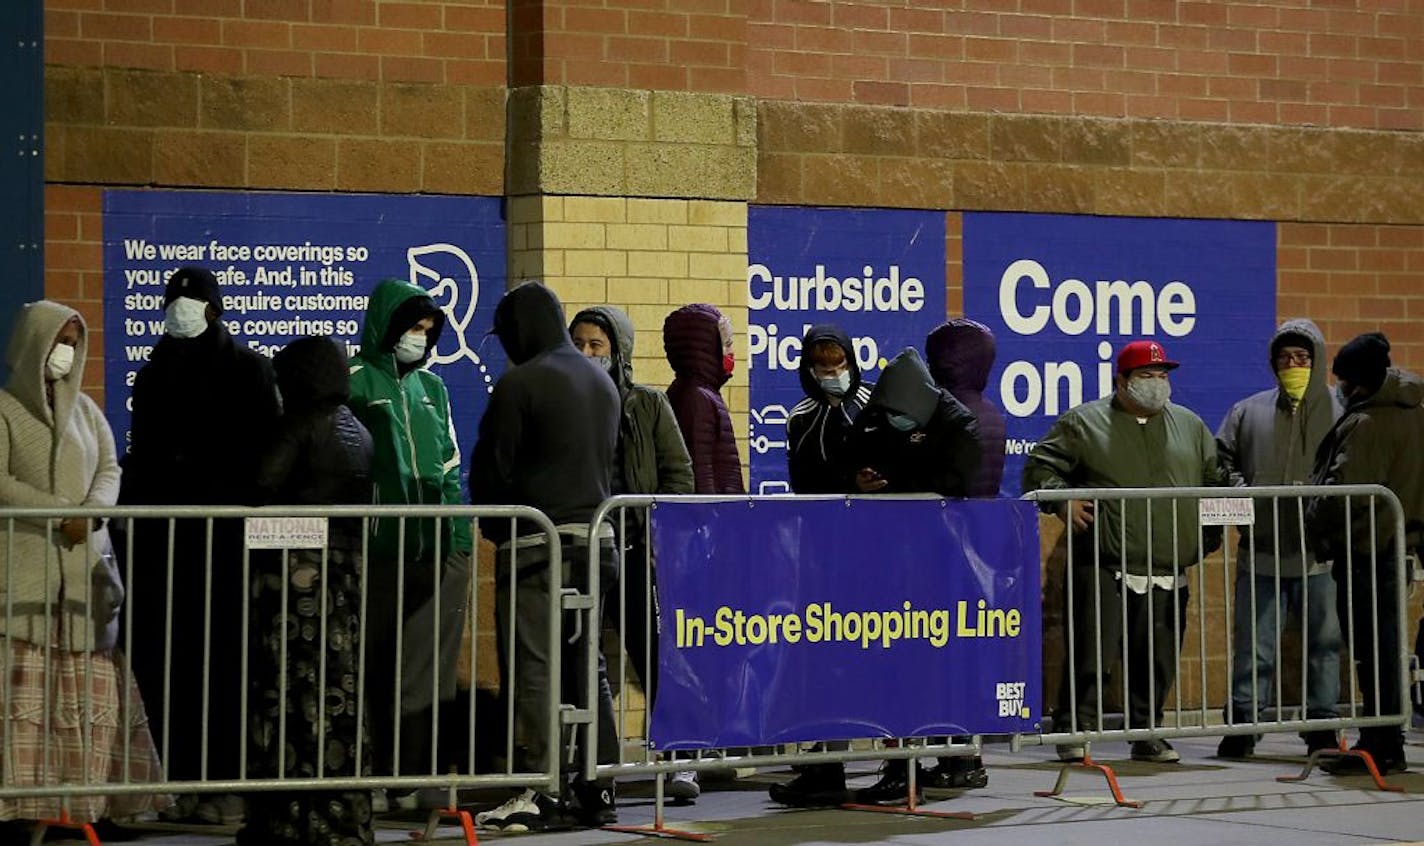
[(454, 42)]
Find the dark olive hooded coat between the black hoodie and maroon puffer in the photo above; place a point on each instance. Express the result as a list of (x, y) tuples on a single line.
[(654, 458)]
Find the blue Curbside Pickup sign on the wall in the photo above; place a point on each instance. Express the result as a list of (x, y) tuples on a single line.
[(876, 273)]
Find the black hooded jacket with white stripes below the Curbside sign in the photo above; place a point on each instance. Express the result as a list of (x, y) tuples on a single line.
[(817, 431)]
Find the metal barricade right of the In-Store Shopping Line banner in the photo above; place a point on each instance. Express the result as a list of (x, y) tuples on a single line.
[(1272, 529)]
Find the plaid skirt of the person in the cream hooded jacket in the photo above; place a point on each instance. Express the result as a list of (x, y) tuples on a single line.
[(73, 719)]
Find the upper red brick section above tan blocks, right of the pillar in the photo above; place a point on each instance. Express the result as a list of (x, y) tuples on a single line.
[(1325, 63)]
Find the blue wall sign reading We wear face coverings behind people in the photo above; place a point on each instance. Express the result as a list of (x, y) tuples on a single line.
[(304, 264)]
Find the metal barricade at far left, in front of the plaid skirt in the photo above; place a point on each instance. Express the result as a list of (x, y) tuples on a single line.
[(247, 599)]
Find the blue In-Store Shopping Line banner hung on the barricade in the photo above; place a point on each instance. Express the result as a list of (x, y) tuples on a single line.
[(811, 619)]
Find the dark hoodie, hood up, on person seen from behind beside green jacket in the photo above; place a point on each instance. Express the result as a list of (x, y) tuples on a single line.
[(550, 432)]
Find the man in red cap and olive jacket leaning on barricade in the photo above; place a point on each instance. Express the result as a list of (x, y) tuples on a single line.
[(1136, 438)]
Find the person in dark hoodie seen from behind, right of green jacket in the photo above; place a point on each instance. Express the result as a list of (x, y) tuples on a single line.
[(548, 441)]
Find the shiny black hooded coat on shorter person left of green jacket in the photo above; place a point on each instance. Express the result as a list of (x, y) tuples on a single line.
[(321, 454)]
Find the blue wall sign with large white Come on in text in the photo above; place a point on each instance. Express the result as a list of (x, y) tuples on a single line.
[(1064, 293)]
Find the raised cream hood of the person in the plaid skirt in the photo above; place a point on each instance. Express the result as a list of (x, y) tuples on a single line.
[(32, 338)]
